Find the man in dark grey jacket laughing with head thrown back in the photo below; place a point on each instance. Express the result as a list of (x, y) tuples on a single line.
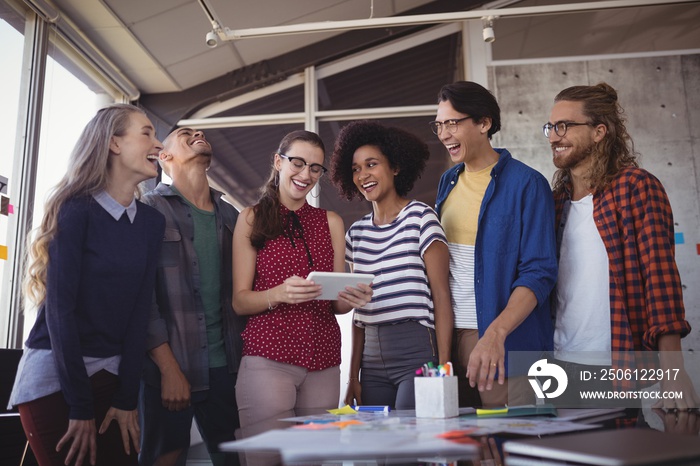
[(194, 337)]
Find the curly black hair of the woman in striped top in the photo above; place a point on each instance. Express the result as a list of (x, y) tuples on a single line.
[(403, 150)]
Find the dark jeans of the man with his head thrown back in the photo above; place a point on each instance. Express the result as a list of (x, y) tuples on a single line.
[(164, 431)]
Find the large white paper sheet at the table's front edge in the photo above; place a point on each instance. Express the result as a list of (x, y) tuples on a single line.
[(298, 445)]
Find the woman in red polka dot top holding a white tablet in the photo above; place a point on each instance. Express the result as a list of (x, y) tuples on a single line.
[(291, 353)]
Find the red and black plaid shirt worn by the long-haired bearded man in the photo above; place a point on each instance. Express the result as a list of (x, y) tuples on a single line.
[(635, 221)]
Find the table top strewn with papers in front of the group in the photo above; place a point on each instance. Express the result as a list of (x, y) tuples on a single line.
[(388, 439)]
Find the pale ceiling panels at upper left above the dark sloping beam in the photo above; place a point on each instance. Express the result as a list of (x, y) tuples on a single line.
[(160, 44)]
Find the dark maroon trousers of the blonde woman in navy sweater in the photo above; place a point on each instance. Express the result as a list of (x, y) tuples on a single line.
[(45, 421)]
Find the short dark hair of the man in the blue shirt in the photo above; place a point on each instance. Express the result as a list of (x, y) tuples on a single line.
[(474, 100)]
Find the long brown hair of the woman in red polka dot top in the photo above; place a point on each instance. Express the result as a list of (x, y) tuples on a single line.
[(267, 223)]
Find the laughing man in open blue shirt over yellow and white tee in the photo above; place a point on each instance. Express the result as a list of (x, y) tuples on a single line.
[(498, 216)]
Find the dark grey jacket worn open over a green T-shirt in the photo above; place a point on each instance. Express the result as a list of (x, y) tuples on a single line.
[(177, 313)]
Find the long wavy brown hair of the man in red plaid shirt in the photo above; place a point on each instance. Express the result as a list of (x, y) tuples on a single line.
[(615, 151)]
